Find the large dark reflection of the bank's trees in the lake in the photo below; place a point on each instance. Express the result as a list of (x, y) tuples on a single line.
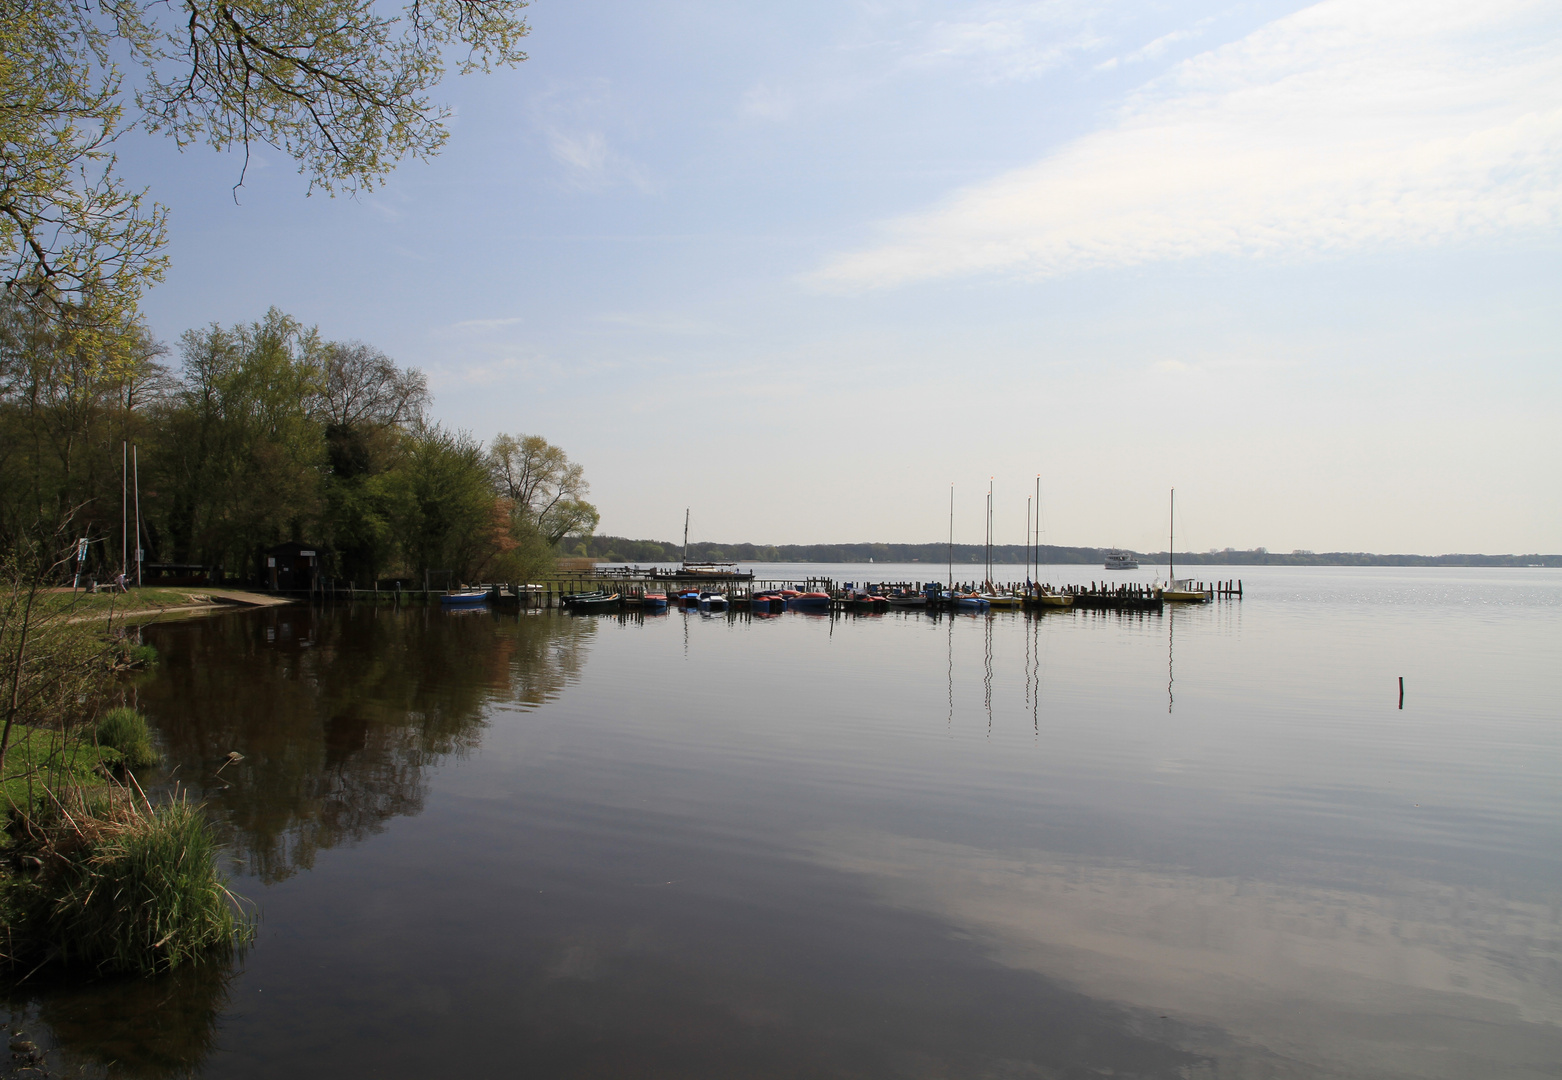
[(338, 713)]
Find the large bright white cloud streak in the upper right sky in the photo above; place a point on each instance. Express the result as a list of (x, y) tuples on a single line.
[(1347, 126)]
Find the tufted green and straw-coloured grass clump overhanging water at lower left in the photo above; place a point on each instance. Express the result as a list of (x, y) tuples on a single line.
[(112, 882)]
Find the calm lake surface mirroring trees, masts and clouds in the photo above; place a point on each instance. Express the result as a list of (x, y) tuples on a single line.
[(1196, 845)]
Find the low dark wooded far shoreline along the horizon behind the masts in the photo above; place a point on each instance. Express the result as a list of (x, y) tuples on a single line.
[(621, 549)]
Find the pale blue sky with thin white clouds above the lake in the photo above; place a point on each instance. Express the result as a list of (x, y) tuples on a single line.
[(805, 270)]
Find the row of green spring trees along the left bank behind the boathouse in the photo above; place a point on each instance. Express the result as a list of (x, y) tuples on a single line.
[(262, 434)]
